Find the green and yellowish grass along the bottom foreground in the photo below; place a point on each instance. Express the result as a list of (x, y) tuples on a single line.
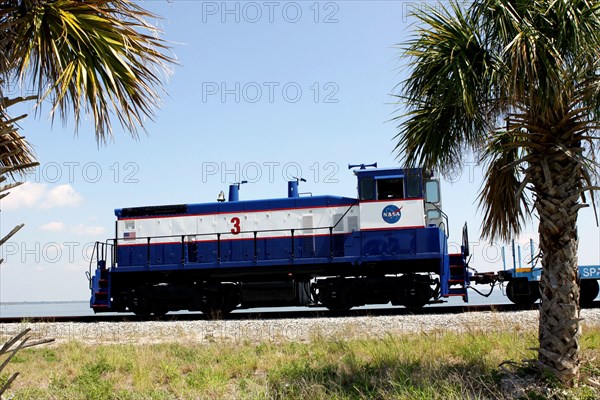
[(426, 366)]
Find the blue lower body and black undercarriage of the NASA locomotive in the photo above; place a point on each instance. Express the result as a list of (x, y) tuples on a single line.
[(405, 266)]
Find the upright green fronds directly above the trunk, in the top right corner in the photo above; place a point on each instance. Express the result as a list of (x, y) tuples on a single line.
[(539, 42)]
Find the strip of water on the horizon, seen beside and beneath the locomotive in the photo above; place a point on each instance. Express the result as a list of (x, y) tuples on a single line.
[(82, 308)]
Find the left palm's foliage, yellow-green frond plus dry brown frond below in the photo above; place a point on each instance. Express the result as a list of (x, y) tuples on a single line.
[(94, 57)]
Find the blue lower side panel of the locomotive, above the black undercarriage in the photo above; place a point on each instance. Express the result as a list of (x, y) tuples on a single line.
[(408, 250)]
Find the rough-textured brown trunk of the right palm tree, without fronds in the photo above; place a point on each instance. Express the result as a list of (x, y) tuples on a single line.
[(557, 203)]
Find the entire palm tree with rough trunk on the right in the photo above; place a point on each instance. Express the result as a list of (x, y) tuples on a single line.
[(518, 84)]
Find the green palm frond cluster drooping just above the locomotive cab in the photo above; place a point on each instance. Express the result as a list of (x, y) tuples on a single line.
[(448, 92)]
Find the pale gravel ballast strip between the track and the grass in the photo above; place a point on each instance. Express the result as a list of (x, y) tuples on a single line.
[(284, 330)]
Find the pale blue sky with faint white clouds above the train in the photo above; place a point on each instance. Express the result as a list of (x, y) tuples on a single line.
[(263, 91)]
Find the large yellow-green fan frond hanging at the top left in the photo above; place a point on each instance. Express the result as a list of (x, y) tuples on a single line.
[(96, 57)]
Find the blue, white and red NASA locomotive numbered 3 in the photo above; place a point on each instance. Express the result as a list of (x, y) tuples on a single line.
[(389, 244)]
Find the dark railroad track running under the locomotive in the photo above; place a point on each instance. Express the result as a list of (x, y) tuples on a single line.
[(273, 315)]
